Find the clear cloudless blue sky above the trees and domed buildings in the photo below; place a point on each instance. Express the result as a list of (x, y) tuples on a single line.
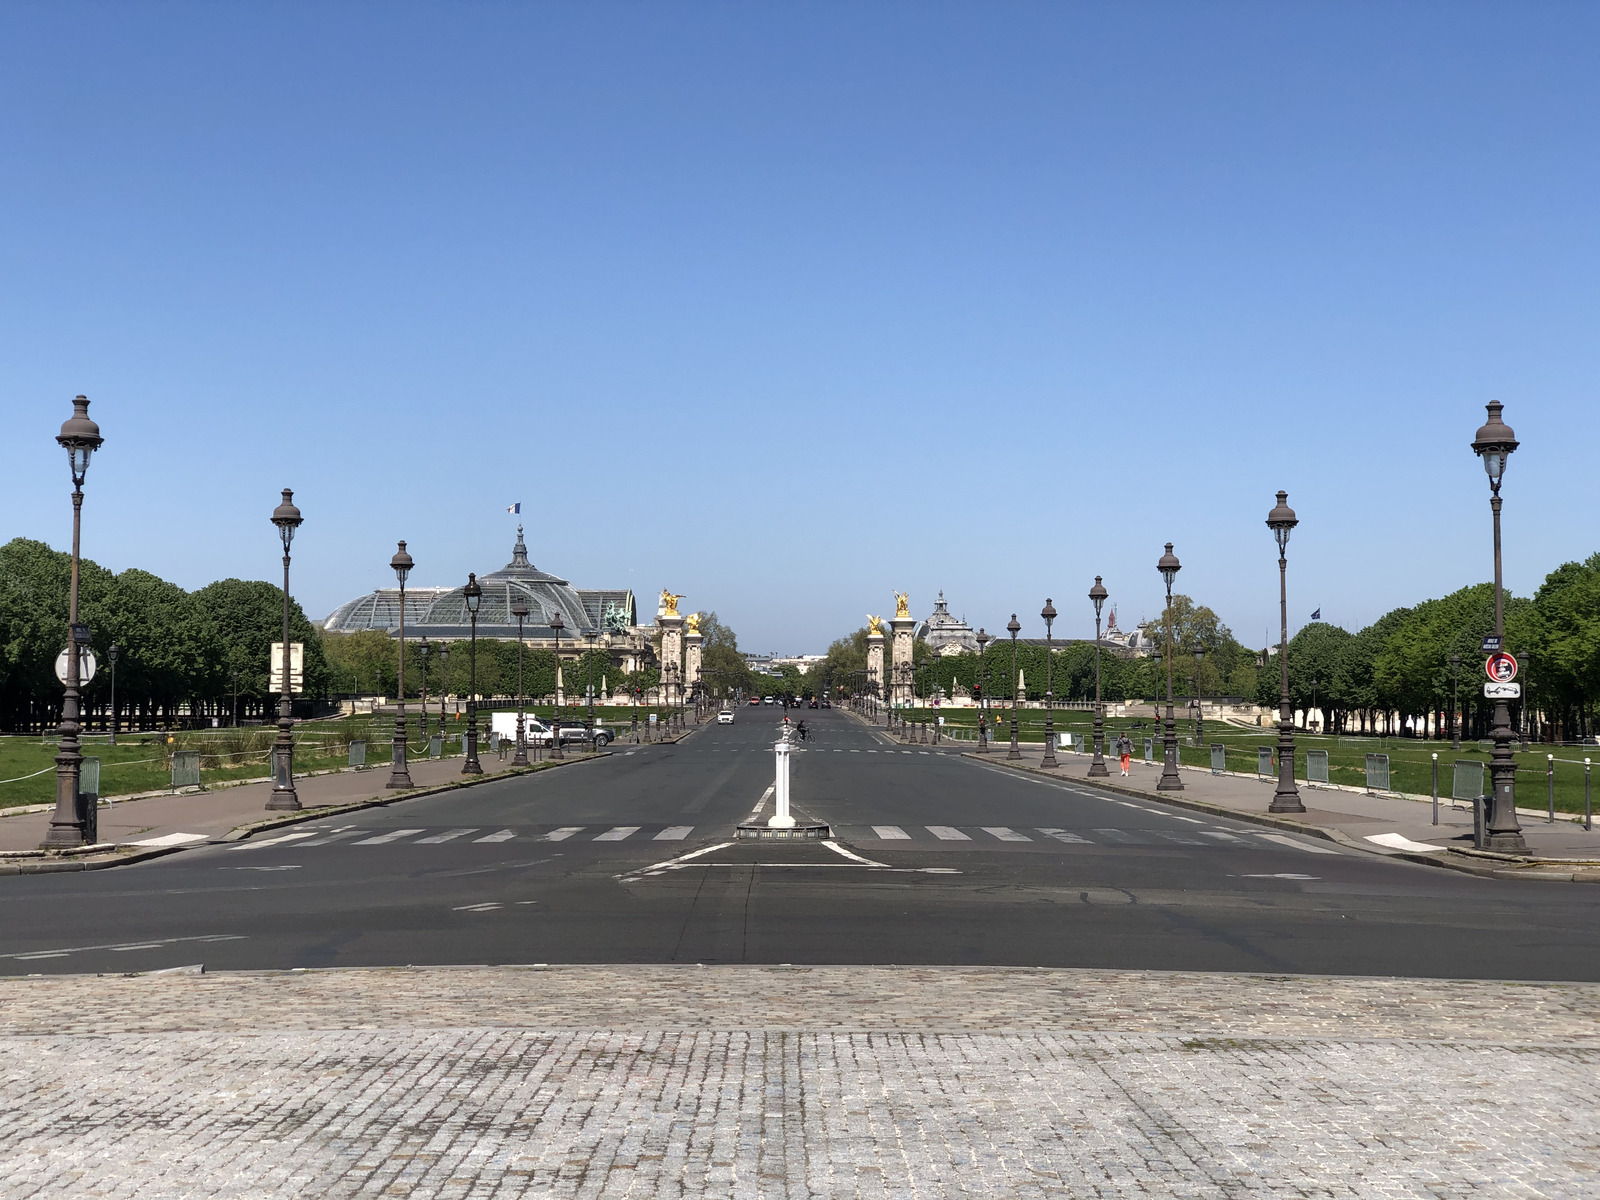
[(785, 306)]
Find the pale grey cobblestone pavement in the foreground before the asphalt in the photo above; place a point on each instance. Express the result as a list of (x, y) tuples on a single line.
[(796, 1082)]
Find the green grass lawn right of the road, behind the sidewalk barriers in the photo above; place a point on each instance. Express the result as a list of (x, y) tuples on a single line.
[(1410, 759)]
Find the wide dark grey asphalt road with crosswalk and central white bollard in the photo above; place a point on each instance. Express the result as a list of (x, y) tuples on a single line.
[(937, 860)]
